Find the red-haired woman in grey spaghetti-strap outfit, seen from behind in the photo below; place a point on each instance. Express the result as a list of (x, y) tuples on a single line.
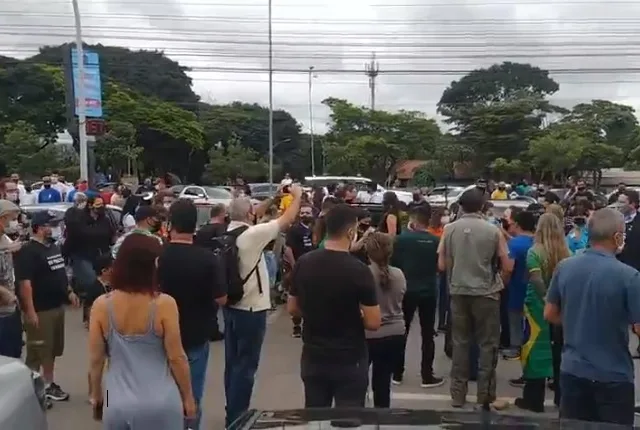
[(147, 380)]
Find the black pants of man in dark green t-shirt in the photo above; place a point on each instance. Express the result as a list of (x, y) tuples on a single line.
[(426, 307)]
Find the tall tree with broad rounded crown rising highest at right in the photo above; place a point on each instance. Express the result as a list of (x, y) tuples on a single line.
[(499, 110)]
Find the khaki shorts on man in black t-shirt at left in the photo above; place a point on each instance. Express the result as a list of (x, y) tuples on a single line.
[(46, 342)]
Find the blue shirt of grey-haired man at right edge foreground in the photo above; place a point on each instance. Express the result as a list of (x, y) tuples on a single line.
[(599, 298)]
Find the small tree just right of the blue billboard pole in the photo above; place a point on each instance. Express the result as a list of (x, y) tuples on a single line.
[(118, 149)]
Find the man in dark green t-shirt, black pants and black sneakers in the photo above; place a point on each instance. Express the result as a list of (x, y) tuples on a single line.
[(415, 252)]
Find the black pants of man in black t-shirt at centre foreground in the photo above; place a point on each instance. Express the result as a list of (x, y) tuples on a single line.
[(327, 382)]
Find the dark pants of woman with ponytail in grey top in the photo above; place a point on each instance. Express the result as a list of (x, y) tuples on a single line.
[(384, 353)]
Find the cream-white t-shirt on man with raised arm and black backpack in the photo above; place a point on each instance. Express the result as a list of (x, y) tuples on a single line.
[(251, 244)]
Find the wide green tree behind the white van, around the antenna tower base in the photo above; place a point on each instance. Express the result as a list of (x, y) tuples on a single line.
[(372, 141)]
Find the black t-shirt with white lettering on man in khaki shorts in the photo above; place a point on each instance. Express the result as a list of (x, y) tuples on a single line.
[(43, 266)]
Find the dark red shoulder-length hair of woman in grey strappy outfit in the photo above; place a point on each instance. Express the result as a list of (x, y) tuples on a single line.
[(134, 269)]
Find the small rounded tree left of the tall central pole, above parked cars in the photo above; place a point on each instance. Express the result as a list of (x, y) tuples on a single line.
[(232, 158)]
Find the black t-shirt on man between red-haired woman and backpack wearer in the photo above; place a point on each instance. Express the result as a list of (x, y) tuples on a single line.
[(189, 274)]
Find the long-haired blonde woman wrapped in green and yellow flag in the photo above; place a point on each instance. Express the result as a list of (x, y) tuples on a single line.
[(548, 250)]
